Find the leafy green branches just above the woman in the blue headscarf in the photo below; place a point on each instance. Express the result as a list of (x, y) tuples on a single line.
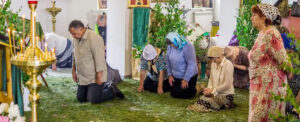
[(163, 23)]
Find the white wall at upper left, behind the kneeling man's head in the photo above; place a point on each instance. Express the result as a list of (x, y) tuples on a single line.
[(71, 9)]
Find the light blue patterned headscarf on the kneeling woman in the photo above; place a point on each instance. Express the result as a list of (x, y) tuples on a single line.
[(178, 40)]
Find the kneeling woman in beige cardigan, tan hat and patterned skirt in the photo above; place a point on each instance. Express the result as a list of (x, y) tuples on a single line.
[(219, 93)]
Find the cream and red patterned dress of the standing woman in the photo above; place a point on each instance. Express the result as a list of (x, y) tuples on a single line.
[(265, 76)]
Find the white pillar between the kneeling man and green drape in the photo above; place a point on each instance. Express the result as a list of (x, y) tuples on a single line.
[(116, 23)]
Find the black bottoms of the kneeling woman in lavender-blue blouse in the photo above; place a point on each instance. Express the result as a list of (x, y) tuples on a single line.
[(178, 92)]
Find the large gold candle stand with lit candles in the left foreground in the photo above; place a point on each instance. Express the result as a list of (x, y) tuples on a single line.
[(33, 61)]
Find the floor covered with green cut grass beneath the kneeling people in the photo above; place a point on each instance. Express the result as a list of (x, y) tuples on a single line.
[(59, 104)]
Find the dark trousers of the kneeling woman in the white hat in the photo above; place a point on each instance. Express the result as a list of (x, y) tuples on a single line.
[(151, 85)]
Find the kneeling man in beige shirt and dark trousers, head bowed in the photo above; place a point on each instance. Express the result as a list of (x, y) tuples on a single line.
[(89, 66)]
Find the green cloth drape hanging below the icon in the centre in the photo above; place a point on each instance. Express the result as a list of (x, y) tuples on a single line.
[(140, 26)]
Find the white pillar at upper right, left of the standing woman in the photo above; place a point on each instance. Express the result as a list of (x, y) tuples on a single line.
[(228, 13)]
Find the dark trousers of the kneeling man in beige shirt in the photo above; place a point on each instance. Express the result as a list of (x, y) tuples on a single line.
[(95, 93)]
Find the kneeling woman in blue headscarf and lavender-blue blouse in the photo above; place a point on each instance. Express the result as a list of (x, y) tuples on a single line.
[(181, 66)]
